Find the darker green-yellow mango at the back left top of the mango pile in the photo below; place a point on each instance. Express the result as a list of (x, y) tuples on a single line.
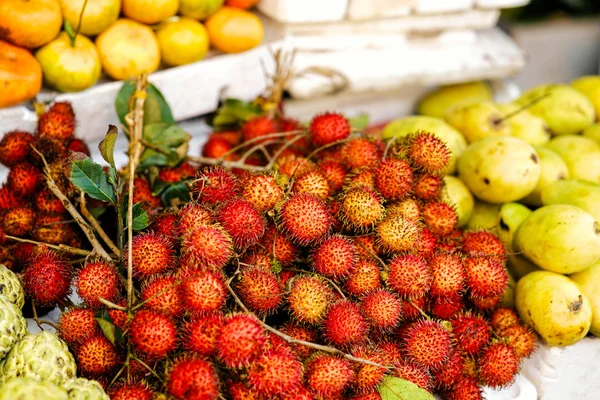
[(435, 103)]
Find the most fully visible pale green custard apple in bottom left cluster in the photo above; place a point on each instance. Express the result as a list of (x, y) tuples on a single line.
[(43, 356)]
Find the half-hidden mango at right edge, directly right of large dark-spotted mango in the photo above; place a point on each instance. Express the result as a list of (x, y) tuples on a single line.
[(581, 154)]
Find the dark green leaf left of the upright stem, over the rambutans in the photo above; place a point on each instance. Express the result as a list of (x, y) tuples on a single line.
[(90, 178)]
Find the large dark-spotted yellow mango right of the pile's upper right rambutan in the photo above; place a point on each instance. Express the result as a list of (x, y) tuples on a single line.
[(500, 169)]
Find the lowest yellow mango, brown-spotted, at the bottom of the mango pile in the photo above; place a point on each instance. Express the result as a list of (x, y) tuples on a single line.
[(553, 306)]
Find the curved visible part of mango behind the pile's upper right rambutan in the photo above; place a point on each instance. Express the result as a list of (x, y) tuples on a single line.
[(453, 138)]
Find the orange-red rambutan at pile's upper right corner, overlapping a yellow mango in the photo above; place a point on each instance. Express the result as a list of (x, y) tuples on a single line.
[(429, 153)]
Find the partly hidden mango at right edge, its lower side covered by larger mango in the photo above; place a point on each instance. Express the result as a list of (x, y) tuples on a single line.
[(583, 194)]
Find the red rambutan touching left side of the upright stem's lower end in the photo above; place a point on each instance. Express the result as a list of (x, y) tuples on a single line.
[(97, 280)]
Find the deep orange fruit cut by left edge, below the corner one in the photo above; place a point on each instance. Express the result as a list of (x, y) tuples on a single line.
[(20, 75)]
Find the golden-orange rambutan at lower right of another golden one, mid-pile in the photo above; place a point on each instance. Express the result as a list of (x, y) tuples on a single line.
[(397, 234)]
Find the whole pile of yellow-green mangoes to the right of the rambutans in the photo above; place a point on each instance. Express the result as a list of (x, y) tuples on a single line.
[(530, 172)]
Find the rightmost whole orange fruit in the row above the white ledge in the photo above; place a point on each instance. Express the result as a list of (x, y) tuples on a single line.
[(233, 30)]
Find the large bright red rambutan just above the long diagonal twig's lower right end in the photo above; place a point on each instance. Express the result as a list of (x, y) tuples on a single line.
[(427, 342)]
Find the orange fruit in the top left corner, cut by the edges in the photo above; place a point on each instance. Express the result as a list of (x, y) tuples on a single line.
[(29, 23)]
